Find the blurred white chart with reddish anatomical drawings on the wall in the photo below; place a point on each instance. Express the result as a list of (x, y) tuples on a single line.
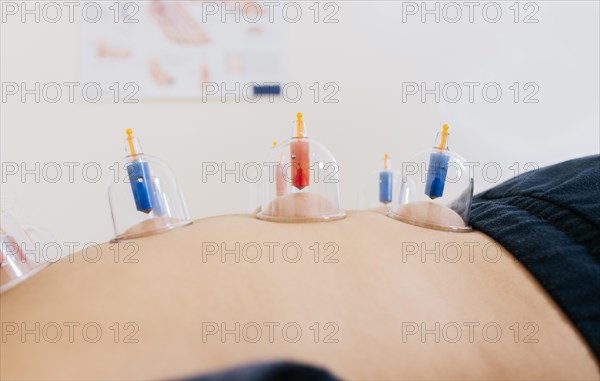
[(180, 49)]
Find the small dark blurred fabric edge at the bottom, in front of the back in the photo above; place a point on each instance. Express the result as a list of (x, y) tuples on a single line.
[(271, 371)]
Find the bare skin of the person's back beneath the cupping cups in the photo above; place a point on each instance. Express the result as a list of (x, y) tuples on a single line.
[(362, 297)]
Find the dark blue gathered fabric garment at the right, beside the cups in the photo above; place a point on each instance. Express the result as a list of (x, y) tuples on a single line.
[(549, 219)]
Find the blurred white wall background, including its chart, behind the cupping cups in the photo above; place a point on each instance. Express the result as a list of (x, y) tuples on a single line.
[(518, 83)]
